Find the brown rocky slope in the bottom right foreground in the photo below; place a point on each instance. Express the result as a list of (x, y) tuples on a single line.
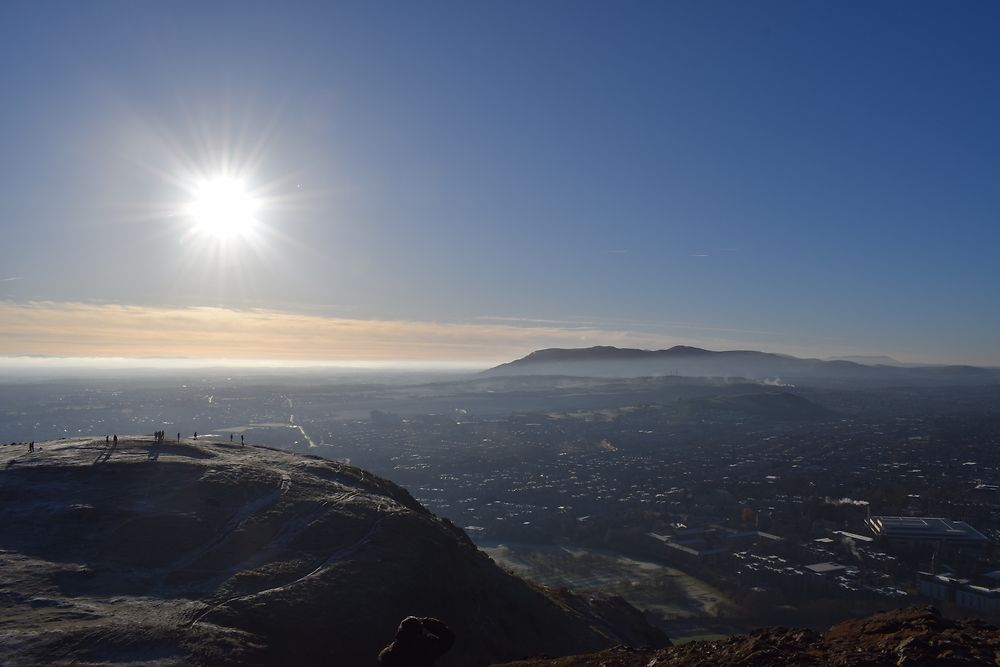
[(914, 637)]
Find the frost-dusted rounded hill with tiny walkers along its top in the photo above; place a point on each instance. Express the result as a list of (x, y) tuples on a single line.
[(209, 553)]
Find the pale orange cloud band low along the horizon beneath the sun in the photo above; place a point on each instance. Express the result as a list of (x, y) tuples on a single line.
[(57, 329)]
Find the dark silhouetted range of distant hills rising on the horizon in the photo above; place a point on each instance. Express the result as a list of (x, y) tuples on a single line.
[(604, 361)]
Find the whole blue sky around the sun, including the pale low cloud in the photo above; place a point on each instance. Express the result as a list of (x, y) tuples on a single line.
[(472, 180)]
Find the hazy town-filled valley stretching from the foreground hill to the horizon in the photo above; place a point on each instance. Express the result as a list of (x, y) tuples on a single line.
[(713, 504)]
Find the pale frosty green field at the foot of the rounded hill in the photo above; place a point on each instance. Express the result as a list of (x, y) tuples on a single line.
[(647, 585)]
